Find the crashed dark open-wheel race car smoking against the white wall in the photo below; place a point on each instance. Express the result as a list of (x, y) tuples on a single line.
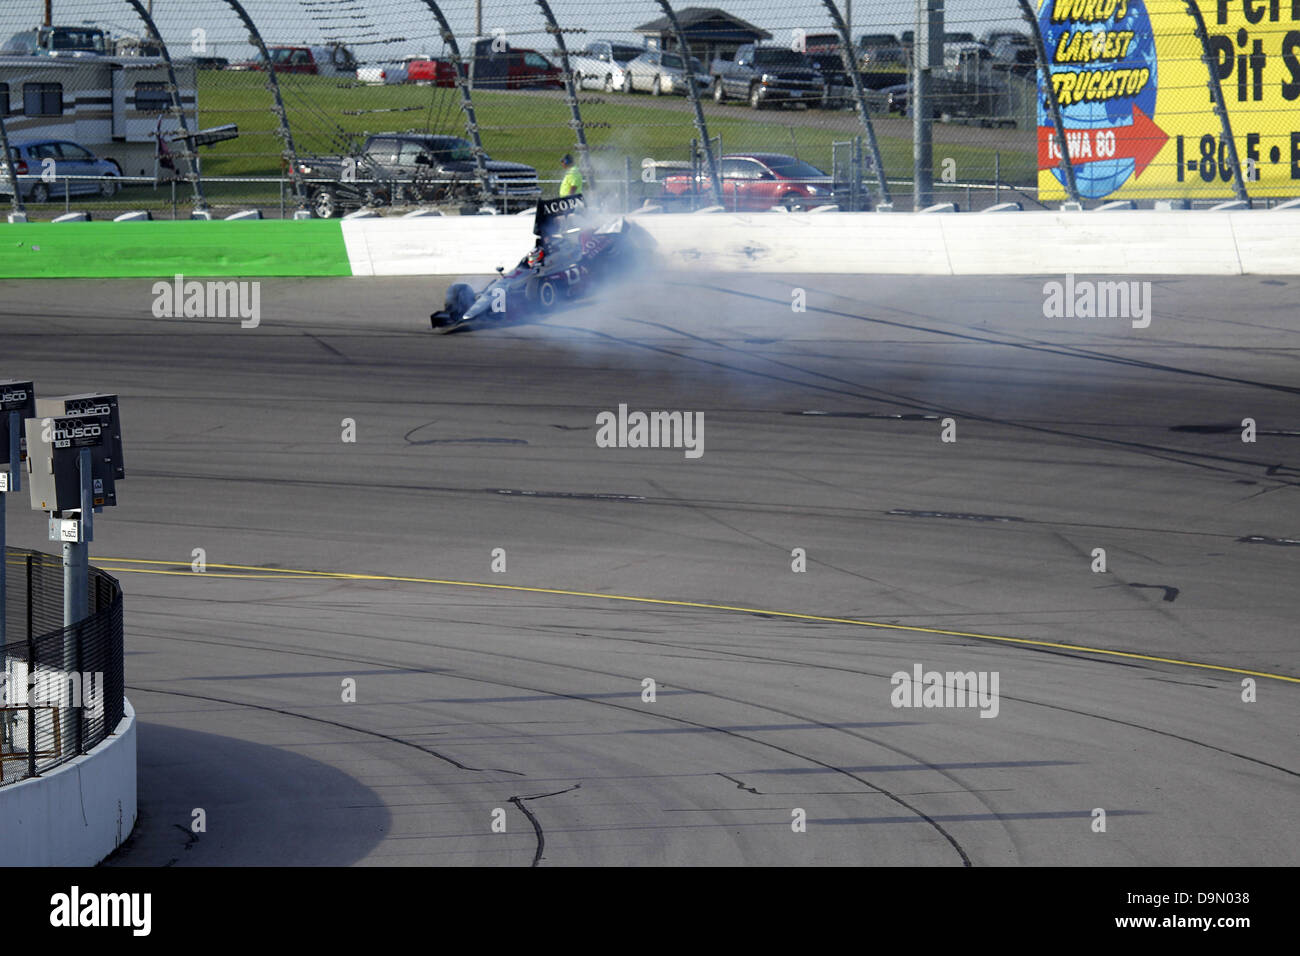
[(571, 259)]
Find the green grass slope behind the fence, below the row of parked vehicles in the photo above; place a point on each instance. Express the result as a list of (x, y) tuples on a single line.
[(527, 128)]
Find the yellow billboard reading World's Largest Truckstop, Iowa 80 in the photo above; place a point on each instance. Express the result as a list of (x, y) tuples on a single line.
[(1136, 101)]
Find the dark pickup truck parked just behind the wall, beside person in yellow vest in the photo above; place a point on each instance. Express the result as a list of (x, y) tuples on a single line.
[(413, 167)]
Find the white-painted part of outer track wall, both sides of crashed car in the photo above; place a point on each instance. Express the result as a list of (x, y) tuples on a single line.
[(1016, 244)]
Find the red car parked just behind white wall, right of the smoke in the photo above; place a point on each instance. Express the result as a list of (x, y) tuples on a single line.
[(756, 181)]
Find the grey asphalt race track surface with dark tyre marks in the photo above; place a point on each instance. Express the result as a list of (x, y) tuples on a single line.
[(522, 691)]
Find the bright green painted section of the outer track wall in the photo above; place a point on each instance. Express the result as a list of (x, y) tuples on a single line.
[(159, 250)]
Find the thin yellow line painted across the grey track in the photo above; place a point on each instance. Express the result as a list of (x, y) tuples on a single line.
[(271, 573)]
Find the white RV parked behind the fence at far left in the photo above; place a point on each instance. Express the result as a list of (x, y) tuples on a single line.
[(110, 105)]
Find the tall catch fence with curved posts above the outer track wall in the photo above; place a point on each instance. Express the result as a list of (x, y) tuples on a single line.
[(406, 105)]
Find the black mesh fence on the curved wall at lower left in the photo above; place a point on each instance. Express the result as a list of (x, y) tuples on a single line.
[(63, 687)]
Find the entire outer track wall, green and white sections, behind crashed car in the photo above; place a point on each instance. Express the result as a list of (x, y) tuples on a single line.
[(1008, 244)]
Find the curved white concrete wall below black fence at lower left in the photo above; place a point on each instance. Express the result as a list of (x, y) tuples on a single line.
[(76, 815)]
